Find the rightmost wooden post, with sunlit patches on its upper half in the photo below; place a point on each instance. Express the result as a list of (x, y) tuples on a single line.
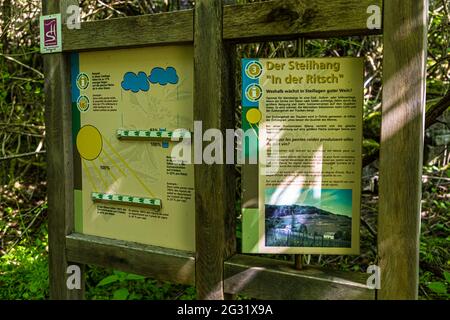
[(404, 80)]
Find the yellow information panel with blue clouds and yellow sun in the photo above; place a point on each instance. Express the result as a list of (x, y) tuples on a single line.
[(129, 109)]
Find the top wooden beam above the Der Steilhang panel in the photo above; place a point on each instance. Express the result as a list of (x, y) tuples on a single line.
[(293, 18)]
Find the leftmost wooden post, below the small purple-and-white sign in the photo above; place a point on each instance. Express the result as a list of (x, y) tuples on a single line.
[(59, 161)]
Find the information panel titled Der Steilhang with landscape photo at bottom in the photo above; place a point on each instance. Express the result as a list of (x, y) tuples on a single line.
[(303, 127)]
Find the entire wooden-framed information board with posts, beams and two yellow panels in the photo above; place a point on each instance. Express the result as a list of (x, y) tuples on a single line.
[(213, 29)]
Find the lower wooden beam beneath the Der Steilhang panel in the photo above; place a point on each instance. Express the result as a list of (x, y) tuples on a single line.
[(264, 278)]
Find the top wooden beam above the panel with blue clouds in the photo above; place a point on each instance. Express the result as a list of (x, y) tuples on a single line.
[(163, 28)]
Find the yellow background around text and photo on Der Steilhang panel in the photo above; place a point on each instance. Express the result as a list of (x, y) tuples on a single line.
[(351, 71)]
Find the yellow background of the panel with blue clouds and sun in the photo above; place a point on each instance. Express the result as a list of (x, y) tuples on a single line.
[(138, 168)]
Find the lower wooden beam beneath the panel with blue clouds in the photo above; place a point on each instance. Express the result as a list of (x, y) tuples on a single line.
[(160, 263)]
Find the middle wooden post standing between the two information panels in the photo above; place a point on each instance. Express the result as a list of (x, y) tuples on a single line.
[(214, 184)]
